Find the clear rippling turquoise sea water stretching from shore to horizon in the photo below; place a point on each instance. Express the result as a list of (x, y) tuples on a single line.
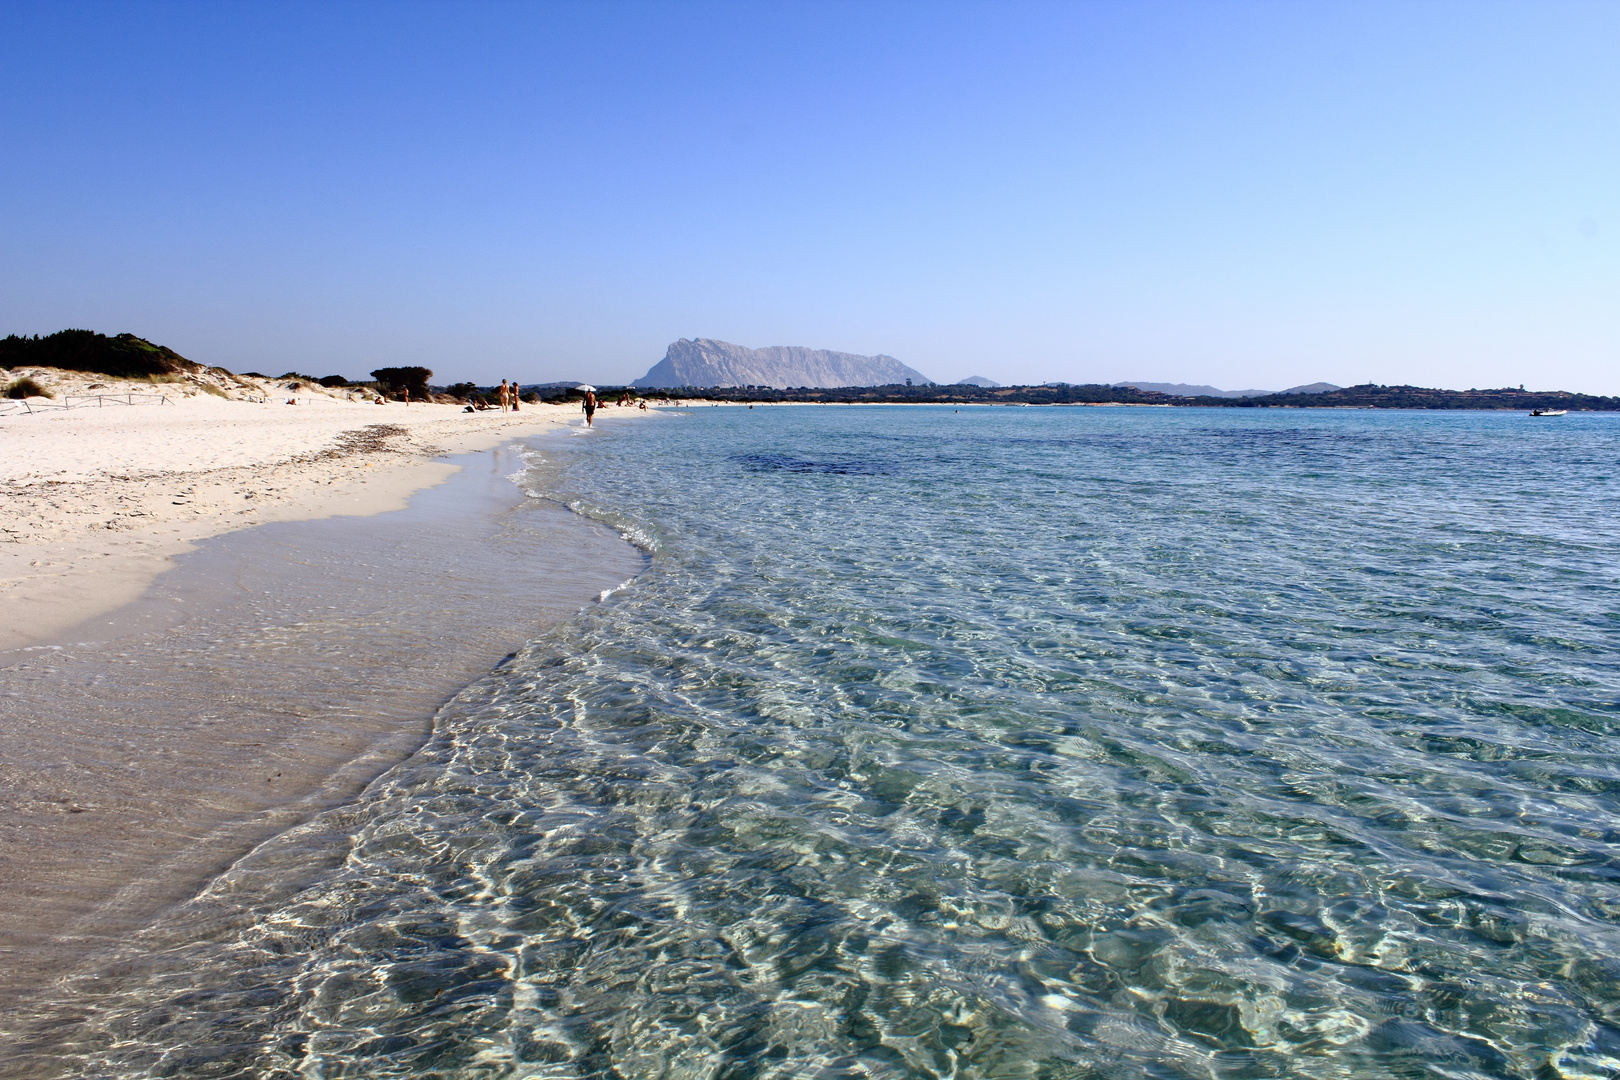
[(984, 744)]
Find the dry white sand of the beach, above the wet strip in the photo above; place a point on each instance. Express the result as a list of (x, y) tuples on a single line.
[(96, 501)]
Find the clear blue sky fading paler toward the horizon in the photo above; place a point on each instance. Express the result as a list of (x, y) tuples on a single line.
[(1250, 195)]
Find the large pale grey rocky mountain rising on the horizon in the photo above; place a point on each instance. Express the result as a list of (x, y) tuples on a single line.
[(709, 364)]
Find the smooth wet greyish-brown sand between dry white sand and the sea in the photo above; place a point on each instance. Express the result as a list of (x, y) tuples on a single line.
[(271, 674)]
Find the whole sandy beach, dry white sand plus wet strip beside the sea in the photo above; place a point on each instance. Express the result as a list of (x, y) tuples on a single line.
[(161, 725)]
